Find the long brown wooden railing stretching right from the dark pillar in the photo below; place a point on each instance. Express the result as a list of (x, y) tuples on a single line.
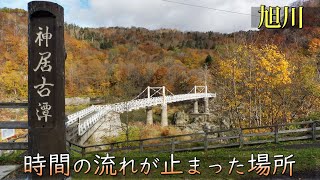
[(211, 139)]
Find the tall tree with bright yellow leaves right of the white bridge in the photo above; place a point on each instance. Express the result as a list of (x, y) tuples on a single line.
[(252, 75)]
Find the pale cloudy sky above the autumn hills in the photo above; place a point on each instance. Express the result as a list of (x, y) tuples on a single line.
[(183, 15)]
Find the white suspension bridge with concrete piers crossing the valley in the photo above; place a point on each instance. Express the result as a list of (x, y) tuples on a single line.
[(83, 123)]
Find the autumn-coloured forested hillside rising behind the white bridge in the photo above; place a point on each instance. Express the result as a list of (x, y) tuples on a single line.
[(261, 77)]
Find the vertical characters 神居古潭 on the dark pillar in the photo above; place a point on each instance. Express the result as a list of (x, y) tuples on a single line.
[(44, 88)]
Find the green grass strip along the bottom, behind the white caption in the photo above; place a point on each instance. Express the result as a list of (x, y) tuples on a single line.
[(306, 156)]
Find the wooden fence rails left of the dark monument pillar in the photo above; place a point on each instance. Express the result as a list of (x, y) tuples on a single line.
[(12, 144)]
